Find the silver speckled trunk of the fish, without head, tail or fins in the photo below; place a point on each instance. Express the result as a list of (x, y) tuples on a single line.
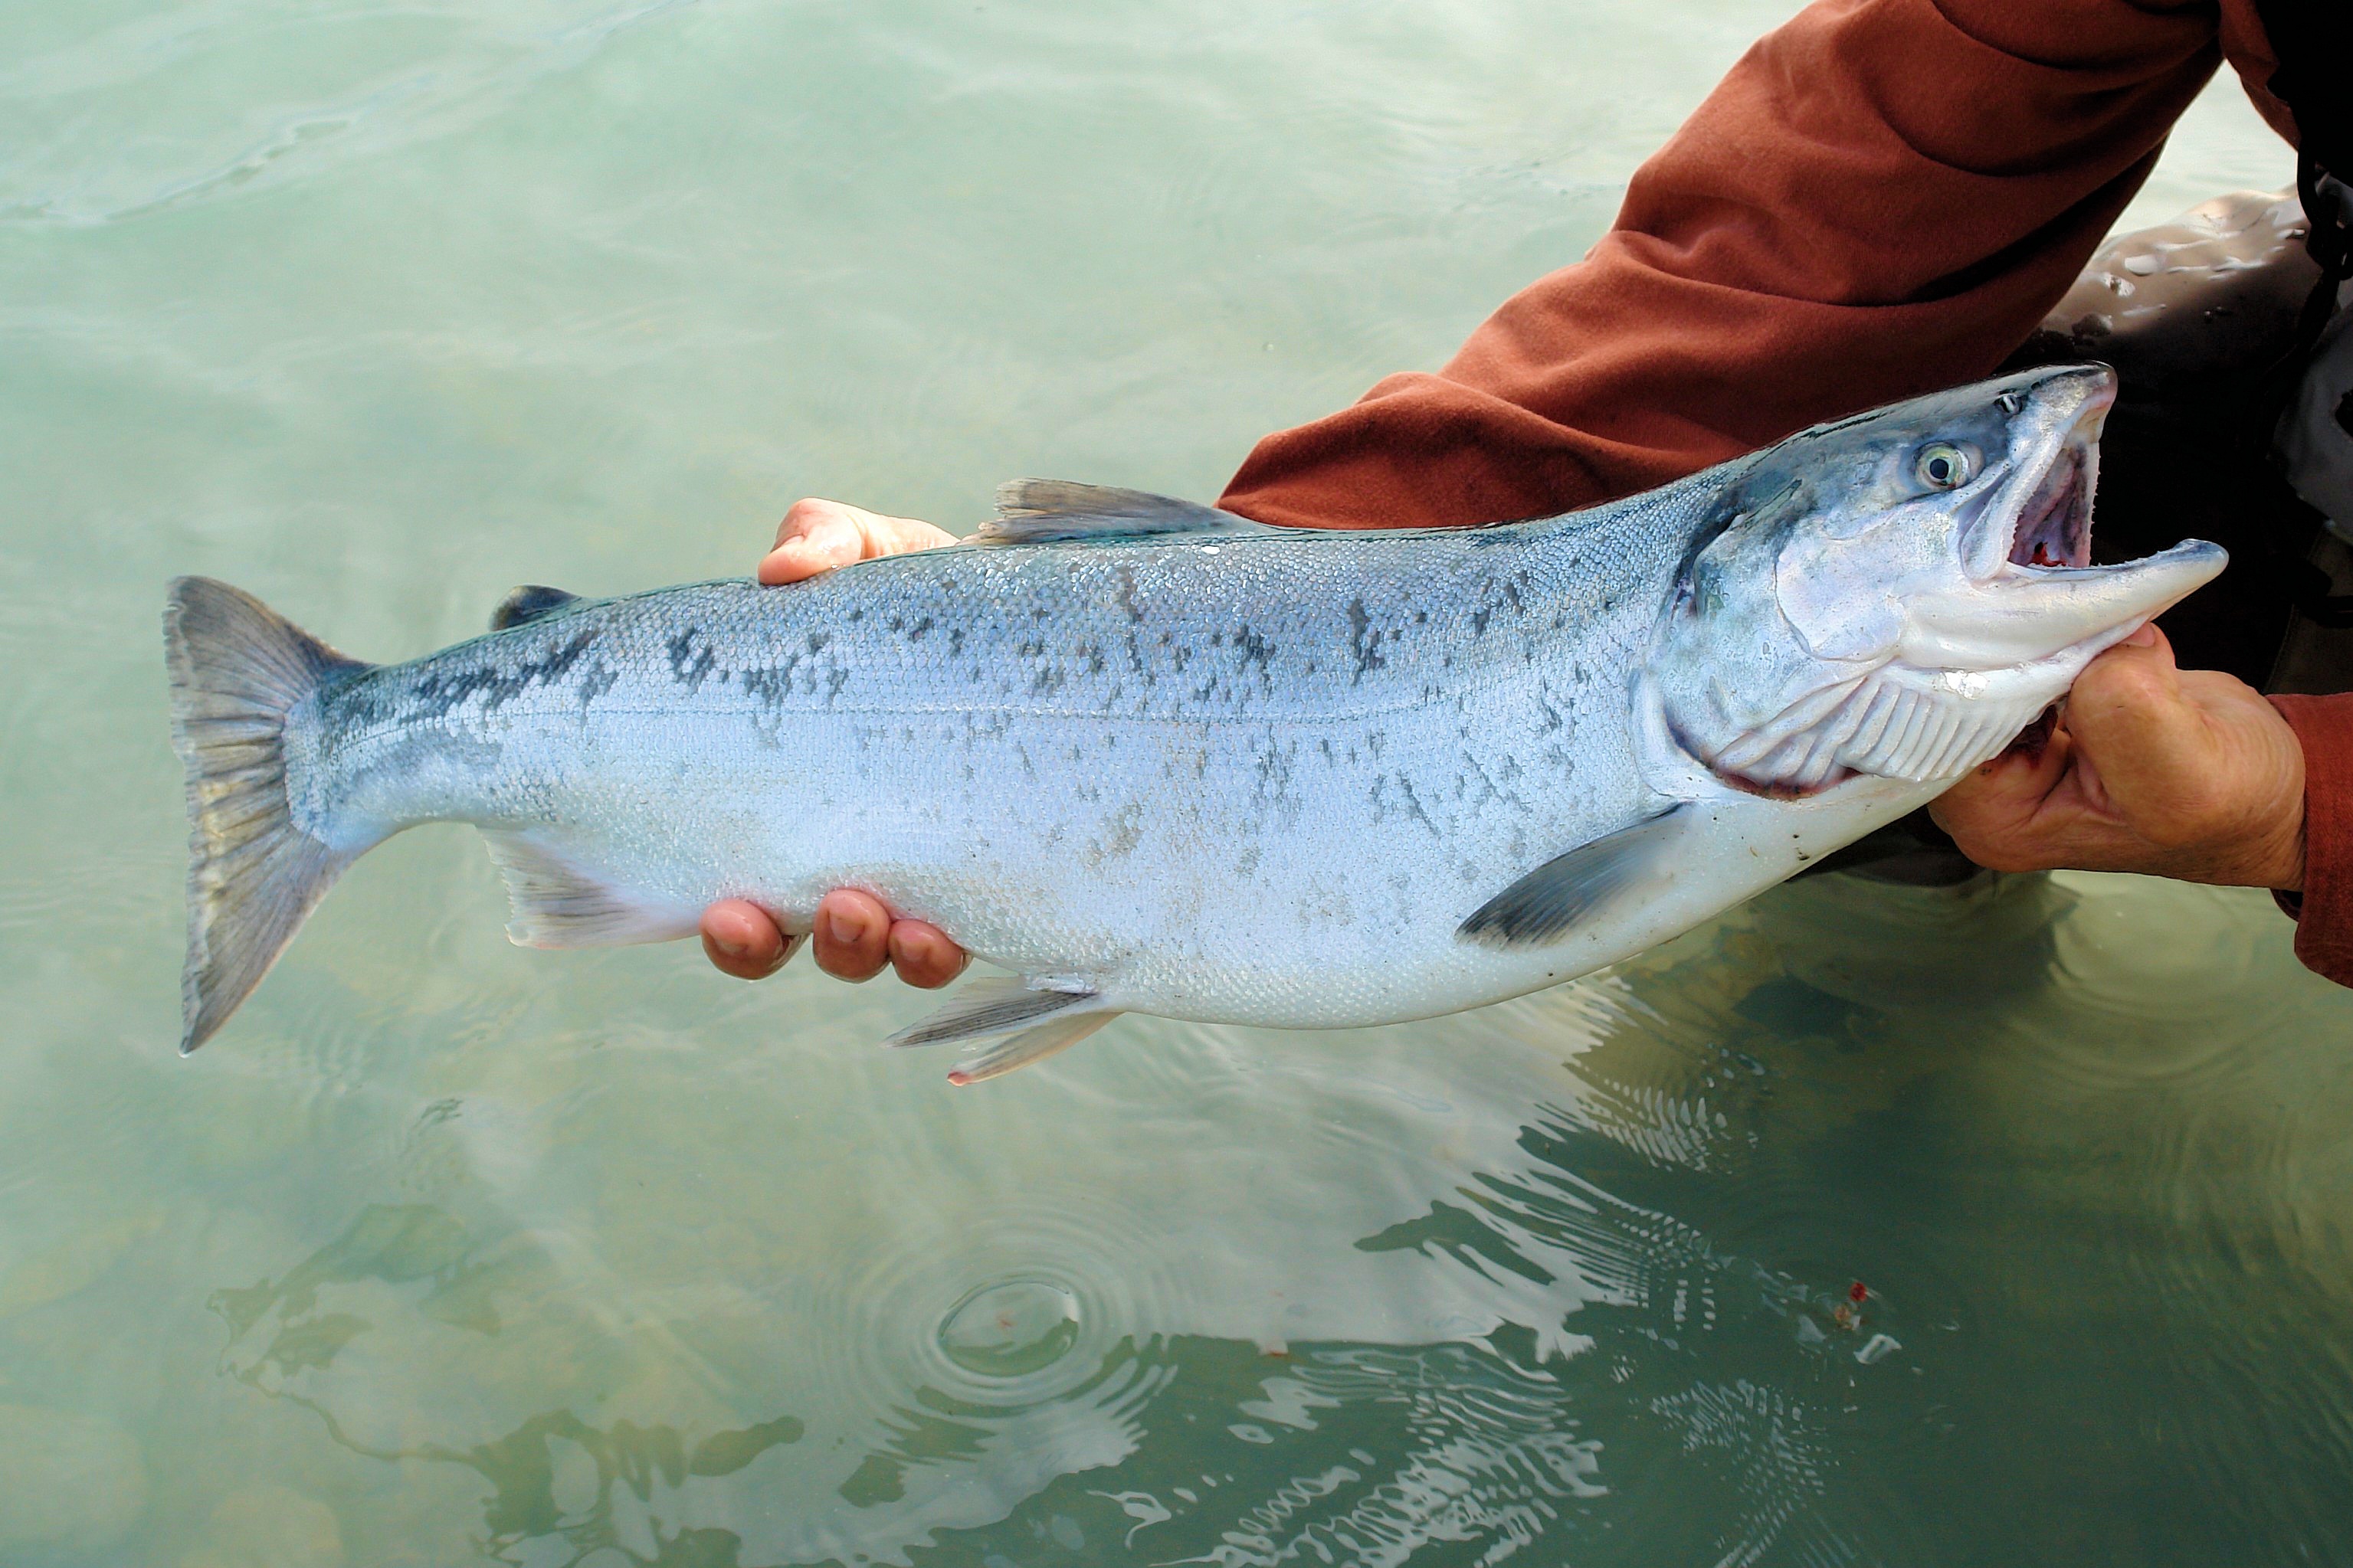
[(1234, 777)]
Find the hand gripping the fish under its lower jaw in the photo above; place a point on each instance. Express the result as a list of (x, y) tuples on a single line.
[(2152, 770)]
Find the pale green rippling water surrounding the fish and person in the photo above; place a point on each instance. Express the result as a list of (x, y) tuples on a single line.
[(451, 1252)]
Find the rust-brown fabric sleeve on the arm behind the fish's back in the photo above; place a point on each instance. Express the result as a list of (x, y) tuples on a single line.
[(1884, 199)]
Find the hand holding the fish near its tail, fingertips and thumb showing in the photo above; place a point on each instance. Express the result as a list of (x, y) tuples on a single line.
[(855, 934)]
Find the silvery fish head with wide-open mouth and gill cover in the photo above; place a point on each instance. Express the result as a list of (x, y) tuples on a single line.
[(1905, 591)]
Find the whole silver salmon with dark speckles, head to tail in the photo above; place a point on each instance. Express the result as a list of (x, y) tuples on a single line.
[(1154, 758)]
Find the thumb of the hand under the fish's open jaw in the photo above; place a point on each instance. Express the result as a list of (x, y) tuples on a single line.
[(2149, 744)]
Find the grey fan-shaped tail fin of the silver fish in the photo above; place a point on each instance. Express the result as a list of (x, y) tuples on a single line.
[(253, 873)]
